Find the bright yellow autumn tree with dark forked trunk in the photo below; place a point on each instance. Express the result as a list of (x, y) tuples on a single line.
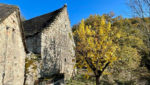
[(96, 47)]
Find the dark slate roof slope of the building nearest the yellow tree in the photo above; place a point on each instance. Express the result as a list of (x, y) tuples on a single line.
[(37, 24)]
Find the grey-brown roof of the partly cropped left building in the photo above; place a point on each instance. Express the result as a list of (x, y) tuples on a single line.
[(6, 10)]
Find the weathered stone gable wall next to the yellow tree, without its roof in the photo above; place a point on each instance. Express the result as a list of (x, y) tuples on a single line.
[(57, 47)]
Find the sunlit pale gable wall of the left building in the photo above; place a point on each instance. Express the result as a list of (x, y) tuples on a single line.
[(12, 51)]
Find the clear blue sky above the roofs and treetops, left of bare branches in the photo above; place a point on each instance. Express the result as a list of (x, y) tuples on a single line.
[(78, 9)]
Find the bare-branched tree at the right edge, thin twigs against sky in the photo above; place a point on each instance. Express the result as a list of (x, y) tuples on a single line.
[(141, 9)]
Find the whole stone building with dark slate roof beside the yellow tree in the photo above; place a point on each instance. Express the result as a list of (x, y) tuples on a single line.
[(54, 42)]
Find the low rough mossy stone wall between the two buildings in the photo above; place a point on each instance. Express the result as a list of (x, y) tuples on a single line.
[(33, 64)]
